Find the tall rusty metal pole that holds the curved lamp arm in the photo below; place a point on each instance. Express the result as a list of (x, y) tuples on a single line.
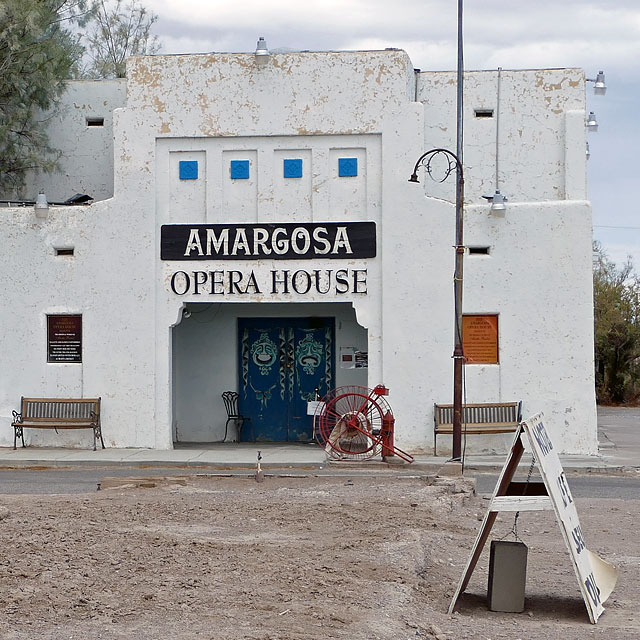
[(458, 354)]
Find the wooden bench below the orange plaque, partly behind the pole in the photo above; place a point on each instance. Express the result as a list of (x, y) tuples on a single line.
[(489, 418)]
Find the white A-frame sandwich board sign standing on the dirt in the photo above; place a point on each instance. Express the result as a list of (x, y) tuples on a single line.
[(596, 577)]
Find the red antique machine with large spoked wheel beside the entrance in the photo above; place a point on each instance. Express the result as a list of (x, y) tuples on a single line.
[(356, 423)]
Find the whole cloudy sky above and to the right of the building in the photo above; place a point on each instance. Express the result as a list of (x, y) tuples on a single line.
[(592, 34)]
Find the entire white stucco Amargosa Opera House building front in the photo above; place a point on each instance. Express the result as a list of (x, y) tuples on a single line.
[(254, 230)]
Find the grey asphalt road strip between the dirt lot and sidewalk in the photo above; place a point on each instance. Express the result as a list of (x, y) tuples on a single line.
[(86, 479)]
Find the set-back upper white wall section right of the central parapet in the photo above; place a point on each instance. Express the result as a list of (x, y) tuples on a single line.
[(540, 111)]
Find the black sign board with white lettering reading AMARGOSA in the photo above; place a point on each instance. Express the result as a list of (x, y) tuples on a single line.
[(287, 241)]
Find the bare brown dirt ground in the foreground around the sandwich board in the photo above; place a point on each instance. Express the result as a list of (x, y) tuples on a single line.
[(293, 558)]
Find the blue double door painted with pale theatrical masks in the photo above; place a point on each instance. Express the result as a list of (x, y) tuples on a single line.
[(282, 361)]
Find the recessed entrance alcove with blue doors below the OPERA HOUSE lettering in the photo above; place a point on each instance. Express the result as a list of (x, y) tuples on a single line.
[(274, 355)]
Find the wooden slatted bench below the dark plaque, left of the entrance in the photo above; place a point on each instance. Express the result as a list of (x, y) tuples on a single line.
[(57, 413)]
